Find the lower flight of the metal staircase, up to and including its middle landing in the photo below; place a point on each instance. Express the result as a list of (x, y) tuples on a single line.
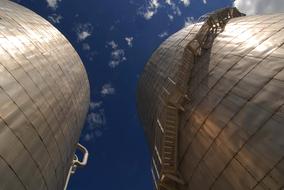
[(168, 122)]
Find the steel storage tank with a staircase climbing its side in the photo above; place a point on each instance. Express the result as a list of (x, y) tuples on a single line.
[(211, 102)]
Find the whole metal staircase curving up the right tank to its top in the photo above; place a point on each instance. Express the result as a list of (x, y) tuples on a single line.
[(164, 170)]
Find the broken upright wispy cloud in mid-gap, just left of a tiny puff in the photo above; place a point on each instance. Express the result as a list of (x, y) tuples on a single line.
[(117, 54)]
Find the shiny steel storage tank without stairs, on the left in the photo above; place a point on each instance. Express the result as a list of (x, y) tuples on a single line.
[(44, 98)]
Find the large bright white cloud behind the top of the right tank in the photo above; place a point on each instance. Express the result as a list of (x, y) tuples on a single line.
[(252, 7)]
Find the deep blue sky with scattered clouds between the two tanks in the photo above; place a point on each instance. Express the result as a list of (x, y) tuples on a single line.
[(114, 40)]
